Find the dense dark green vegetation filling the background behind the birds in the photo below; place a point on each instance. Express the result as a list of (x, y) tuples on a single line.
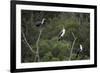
[(77, 27)]
